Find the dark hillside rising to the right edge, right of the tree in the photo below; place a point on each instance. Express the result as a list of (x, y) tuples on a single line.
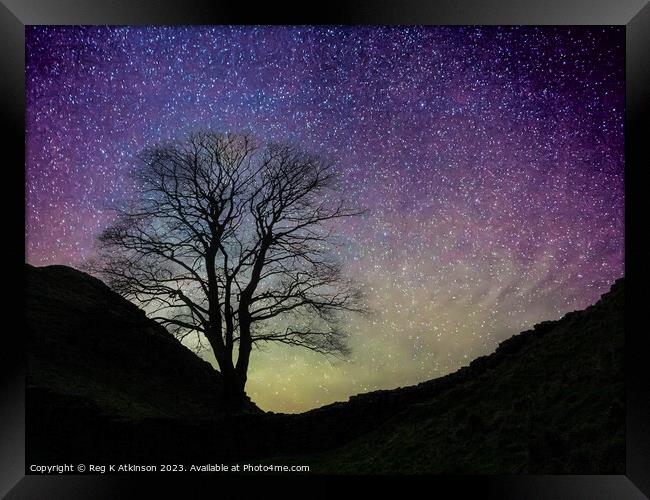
[(549, 400)]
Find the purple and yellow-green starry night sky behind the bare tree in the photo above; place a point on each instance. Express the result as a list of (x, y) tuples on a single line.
[(490, 160)]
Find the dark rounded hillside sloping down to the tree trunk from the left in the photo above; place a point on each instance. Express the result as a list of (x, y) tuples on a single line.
[(94, 357)]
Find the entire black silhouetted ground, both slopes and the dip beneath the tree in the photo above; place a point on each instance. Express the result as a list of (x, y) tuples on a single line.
[(107, 385)]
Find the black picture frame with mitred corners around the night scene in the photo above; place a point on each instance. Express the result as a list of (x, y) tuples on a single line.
[(634, 14)]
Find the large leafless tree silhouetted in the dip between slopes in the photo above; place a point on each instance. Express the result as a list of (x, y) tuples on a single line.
[(228, 238)]
